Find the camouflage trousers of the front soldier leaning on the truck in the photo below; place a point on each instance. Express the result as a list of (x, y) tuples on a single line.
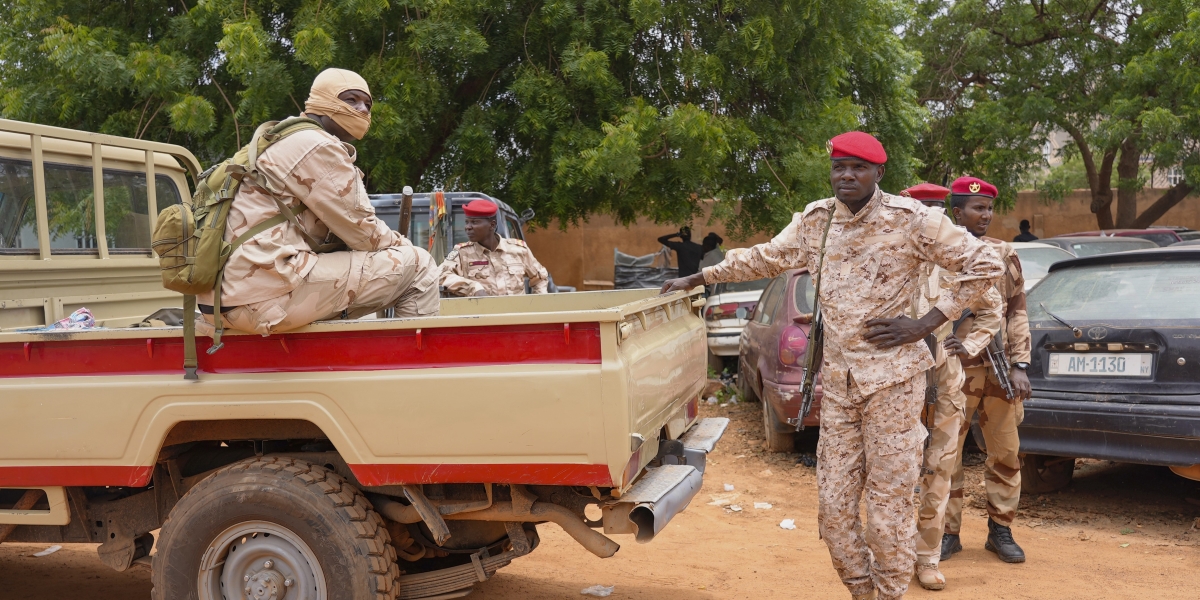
[(869, 453)]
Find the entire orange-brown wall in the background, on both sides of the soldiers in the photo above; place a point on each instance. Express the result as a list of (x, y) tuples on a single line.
[(585, 253)]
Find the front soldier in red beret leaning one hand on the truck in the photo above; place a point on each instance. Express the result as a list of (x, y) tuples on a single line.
[(867, 249)]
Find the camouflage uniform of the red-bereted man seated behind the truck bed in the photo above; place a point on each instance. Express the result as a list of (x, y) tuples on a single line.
[(471, 268)]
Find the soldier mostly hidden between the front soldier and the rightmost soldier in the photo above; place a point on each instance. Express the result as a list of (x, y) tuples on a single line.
[(946, 416)]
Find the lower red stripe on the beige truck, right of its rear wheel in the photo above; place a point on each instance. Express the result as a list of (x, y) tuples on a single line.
[(532, 475)]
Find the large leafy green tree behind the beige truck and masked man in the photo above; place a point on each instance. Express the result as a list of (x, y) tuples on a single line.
[(572, 107)]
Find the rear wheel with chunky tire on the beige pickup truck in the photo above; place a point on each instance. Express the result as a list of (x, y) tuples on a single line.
[(275, 525)]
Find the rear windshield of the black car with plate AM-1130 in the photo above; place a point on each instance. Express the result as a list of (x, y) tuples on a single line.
[(1120, 293)]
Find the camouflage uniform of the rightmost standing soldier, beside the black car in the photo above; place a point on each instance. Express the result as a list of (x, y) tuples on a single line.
[(999, 417)]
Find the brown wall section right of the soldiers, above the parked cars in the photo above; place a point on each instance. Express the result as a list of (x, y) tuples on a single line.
[(1073, 214)]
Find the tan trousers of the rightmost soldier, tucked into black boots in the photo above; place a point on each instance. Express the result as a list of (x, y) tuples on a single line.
[(999, 418)]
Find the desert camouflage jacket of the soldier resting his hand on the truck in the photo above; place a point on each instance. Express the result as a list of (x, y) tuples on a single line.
[(872, 269)]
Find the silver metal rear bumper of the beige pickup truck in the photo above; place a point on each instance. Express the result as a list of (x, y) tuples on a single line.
[(663, 493)]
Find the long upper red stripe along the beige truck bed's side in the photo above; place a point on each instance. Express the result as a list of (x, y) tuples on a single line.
[(346, 351)]
